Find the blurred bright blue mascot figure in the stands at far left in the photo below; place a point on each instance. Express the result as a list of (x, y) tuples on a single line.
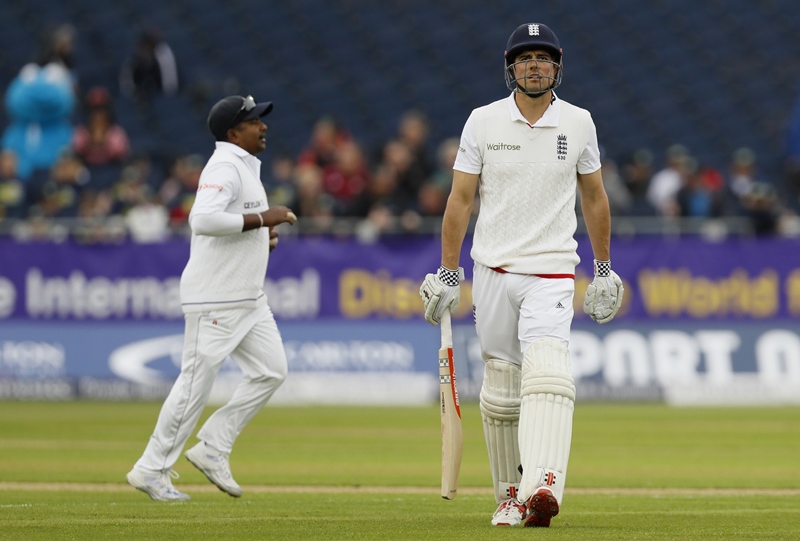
[(40, 102)]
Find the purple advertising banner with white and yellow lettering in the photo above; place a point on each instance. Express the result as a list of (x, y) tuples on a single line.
[(666, 279)]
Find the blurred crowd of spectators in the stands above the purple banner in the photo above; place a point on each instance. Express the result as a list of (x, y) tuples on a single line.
[(66, 160)]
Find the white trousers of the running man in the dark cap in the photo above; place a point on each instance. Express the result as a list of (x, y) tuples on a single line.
[(252, 339)]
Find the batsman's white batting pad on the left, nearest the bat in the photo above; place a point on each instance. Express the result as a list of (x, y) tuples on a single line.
[(500, 414)]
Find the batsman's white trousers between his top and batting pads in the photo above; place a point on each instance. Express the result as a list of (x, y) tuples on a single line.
[(512, 311)]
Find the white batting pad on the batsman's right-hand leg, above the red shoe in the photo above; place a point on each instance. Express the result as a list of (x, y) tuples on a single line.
[(545, 423)]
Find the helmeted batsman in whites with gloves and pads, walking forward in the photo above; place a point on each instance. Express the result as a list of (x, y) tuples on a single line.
[(526, 154)]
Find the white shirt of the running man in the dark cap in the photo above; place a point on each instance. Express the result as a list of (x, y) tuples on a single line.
[(226, 267)]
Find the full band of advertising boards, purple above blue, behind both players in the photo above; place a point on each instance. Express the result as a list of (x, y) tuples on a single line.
[(702, 323)]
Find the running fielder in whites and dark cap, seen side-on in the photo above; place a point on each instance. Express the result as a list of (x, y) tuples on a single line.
[(224, 306)]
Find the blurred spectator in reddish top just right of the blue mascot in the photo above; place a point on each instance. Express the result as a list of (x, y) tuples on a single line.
[(100, 141)]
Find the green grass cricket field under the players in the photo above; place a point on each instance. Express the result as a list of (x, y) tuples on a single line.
[(636, 472)]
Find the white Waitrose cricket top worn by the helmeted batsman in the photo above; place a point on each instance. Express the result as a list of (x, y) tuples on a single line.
[(528, 181)]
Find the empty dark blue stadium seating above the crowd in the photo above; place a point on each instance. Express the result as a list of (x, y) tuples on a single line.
[(711, 75)]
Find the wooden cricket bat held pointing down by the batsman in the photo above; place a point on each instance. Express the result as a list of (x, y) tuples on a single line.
[(452, 437)]
